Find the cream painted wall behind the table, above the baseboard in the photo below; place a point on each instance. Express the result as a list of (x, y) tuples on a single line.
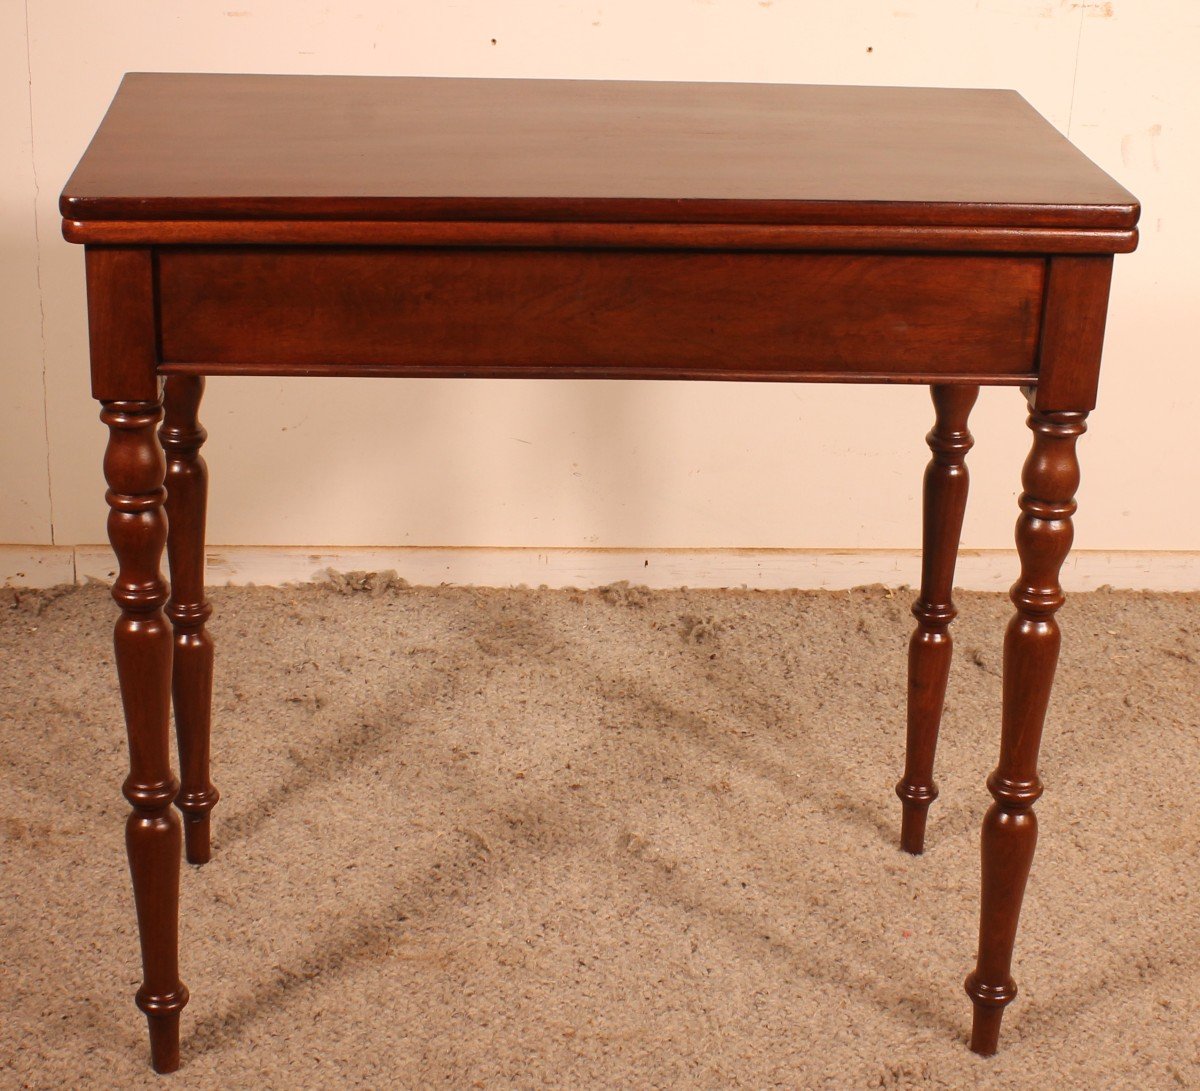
[(443, 464)]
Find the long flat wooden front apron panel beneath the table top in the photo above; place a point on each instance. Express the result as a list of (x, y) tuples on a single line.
[(494, 313)]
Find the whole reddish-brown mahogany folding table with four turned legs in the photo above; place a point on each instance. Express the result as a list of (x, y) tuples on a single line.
[(278, 225)]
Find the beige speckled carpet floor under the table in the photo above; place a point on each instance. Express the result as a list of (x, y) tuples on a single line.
[(562, 840)]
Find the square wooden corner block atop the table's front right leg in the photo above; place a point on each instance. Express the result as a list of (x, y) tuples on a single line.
[(1077, 302)]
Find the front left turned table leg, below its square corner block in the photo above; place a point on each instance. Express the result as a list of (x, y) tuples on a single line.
[(137, 527)]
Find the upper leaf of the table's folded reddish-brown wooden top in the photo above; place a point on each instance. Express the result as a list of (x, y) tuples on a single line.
[(213, 147)]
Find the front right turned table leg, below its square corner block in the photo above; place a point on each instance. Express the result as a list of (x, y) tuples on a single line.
[(1031, 652)]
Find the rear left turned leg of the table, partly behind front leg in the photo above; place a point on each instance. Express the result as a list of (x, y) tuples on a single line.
[(188, 485)]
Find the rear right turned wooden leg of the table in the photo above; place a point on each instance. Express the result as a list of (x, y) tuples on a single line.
[(929, 651)]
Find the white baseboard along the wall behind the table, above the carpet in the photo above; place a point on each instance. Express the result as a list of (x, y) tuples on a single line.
[(766, 570)]
